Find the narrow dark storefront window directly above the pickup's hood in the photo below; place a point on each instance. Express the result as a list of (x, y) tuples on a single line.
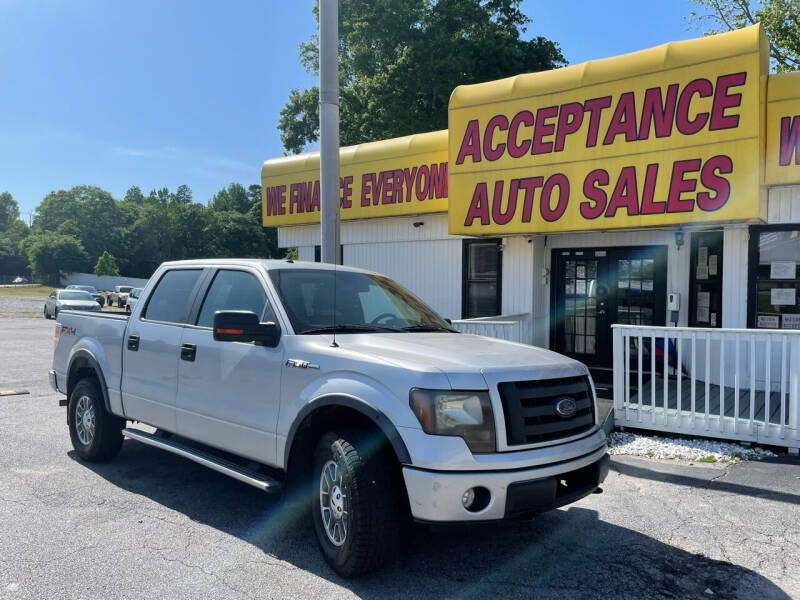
[(481, 279)]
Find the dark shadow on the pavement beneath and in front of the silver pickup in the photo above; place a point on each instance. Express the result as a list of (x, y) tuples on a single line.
[(561, 554)]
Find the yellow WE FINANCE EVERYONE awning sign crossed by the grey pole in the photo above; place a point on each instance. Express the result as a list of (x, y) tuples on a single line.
[(401, 176)]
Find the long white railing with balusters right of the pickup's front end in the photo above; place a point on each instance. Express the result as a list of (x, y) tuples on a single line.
[(741, 384)]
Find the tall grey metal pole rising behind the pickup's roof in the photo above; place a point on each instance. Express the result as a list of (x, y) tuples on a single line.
[(329, 129)]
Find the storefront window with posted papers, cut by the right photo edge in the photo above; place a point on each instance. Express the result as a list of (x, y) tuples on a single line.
[(775, 253)]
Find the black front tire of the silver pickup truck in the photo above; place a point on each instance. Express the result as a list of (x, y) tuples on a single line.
[(372, 499)]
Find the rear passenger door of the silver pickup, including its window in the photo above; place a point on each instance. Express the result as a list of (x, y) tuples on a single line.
[(151, 350)]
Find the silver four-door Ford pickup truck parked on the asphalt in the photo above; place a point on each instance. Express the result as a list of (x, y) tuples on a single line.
[(340, 385)]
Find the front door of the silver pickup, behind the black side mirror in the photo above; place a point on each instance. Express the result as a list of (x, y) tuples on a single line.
[(229, 392)]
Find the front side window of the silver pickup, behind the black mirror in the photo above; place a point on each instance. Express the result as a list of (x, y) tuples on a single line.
[(233, 290)]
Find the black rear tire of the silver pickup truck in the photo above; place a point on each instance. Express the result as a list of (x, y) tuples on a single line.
[(106, 439)]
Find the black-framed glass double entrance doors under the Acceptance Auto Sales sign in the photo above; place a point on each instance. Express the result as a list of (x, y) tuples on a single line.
[(595, 288)]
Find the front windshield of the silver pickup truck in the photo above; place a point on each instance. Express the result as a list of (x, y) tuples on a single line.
[(364, 302)]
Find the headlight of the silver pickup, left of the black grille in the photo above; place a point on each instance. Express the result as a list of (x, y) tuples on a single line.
[(465, 414)]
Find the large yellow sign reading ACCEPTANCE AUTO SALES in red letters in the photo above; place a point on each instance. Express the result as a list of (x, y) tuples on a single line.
[(664, 136)]
